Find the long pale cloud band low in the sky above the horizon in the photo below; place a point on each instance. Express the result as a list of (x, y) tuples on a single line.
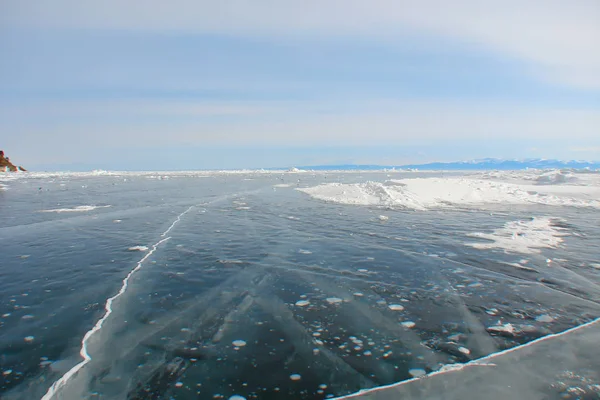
[(106, 124)]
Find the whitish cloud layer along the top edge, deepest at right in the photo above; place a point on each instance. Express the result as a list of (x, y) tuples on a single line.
[(556, 40)]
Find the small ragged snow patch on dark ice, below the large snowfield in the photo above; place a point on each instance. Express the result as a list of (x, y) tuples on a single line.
[(523, 236)]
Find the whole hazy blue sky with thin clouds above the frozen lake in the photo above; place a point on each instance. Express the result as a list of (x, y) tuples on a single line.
[(185, 84)]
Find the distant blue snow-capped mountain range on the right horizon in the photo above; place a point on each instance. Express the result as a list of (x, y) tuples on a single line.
[(483, 164)]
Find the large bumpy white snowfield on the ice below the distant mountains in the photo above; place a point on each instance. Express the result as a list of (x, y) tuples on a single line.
[(473, 190)]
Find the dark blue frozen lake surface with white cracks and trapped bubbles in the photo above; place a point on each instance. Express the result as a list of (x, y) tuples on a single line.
[(239, 255)]
